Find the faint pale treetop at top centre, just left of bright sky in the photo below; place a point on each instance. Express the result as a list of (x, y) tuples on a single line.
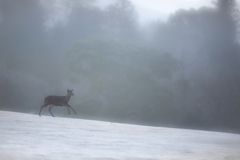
[(122, 21)]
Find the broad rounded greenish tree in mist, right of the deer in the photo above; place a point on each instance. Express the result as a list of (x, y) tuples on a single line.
[(123, 81)]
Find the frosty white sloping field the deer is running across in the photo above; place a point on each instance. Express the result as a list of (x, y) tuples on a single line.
[(30, 137)]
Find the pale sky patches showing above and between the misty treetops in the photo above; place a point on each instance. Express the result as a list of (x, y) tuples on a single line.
[(148, 10)]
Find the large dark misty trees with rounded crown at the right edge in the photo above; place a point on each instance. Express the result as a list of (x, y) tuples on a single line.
[(204, 41)]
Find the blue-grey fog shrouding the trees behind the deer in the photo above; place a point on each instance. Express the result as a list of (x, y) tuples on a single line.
[(181, 71)]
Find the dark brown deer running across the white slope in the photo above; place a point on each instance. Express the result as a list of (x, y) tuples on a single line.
[(57, 101)]
